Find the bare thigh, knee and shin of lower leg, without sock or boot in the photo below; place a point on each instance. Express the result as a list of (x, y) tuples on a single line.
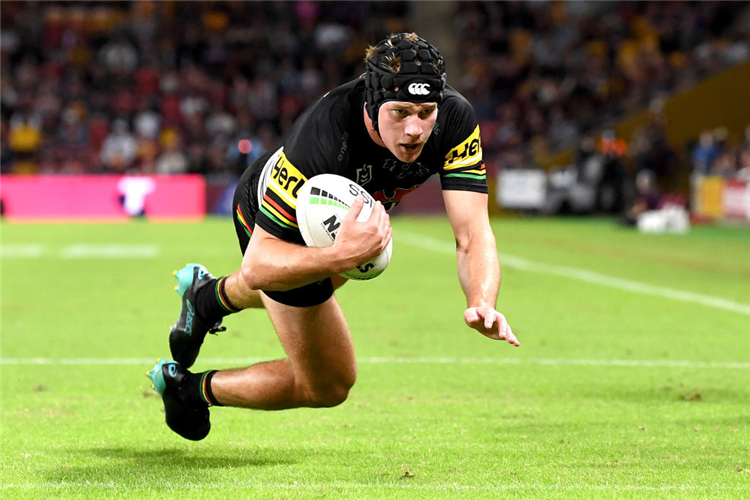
[(319, 370)]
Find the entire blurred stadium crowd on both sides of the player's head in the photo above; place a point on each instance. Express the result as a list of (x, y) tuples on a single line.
[(171, 86)]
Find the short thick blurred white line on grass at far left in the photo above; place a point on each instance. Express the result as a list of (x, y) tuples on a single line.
[(81, 251)]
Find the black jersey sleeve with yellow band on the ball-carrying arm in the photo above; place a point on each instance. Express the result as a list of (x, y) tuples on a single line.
[(306, 153)]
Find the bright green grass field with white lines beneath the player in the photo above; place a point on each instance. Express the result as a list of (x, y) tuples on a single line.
[(632, 379)]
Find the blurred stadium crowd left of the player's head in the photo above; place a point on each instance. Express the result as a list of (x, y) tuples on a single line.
[(170, 86)]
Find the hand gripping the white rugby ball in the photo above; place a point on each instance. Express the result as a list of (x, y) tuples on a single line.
[(360, 242)]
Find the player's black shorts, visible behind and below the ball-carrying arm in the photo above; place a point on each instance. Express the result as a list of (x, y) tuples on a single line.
[(244, 208)]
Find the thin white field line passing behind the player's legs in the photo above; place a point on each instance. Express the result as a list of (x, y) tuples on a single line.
[(626, 363)]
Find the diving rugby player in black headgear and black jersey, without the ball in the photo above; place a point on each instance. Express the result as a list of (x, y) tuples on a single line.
[(389, 130)]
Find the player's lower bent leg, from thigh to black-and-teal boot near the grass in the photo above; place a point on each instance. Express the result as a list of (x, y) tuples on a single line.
[(318, 372)]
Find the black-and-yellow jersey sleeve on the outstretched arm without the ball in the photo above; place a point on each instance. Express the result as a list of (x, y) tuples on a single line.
[(463, 167)]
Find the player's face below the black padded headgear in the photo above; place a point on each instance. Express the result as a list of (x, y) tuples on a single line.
[(405, 126)]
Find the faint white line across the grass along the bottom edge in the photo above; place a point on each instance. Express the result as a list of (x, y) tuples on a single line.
[(346, 485)]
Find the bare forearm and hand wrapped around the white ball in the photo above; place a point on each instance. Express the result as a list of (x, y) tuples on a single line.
[(273, 264)]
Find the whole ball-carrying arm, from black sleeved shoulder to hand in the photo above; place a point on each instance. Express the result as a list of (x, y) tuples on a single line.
[(276, 258)]
